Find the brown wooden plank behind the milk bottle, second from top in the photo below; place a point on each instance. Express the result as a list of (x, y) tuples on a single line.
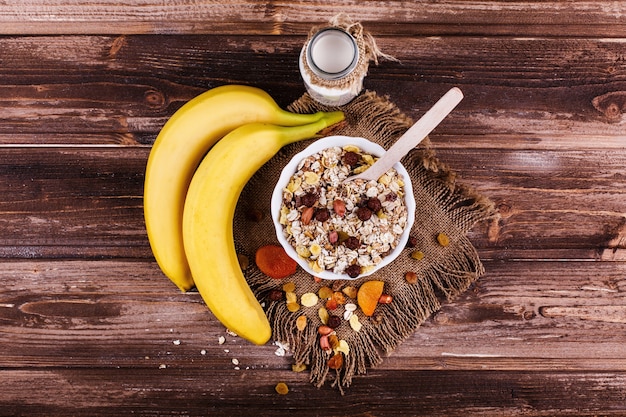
[(534, 93)]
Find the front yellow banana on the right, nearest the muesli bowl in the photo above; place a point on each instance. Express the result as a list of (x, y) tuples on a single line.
[(208, 220)]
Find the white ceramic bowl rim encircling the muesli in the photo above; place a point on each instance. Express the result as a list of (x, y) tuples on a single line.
[(319, 145)]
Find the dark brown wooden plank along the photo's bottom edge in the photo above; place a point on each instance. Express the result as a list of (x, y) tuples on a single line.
[(148, 392)]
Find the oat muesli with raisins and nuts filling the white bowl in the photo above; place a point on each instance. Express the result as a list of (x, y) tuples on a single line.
[(344, 228)]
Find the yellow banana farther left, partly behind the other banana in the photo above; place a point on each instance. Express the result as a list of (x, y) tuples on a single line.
[(176, 153)]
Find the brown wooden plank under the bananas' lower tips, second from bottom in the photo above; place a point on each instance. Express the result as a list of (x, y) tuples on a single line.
[(520, 316)]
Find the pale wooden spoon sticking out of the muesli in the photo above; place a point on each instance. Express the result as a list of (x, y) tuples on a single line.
[(412, 137)]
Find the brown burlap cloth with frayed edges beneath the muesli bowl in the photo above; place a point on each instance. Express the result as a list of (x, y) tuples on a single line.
[(443, 206)]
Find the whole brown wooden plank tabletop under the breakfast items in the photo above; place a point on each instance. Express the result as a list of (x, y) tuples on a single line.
[(89, 325)]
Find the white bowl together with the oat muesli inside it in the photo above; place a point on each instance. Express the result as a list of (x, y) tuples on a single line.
[(336, 229)]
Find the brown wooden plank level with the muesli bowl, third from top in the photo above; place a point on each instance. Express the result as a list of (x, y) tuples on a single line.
[(87, 202)]
